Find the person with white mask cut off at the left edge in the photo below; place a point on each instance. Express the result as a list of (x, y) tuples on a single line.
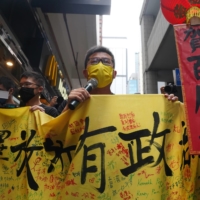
[(7, 85)]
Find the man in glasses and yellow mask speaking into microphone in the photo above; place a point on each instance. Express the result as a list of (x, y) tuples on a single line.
[(99, 64)]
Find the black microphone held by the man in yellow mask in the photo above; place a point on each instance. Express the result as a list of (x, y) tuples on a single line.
[(91, 84)]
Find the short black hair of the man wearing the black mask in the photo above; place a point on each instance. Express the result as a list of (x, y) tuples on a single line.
[(38, 78)]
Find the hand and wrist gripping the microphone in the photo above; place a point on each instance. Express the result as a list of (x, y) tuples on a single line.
[(79, 94)]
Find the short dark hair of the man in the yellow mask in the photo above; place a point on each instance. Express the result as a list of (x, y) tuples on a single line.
[(97, 49)]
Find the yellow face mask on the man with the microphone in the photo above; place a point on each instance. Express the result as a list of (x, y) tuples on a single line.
[(103, 74)]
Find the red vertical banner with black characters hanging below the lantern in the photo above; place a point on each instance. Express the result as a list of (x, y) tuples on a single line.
[(188, 49)]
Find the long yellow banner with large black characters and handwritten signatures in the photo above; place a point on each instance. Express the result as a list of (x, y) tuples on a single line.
[(111, 147)]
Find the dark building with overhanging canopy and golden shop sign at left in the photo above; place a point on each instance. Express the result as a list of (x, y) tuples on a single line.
[(51, 38)]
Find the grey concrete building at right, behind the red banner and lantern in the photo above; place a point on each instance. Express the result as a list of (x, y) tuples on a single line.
[(159, 56)]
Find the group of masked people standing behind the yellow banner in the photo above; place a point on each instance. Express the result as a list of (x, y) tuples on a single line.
[(99, 64)]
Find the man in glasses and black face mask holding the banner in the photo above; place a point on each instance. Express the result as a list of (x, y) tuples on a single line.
[(31, 86)]
